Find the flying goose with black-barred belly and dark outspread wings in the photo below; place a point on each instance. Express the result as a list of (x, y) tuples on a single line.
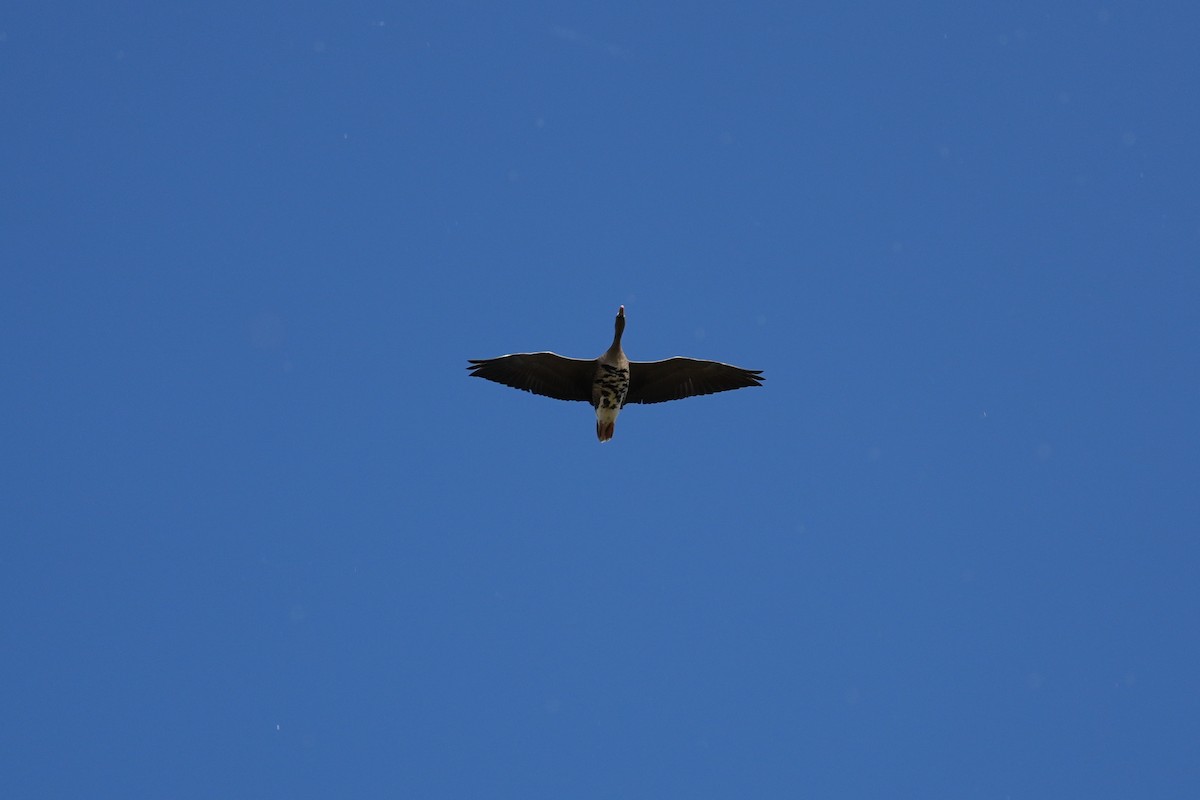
[(613, 381)]
